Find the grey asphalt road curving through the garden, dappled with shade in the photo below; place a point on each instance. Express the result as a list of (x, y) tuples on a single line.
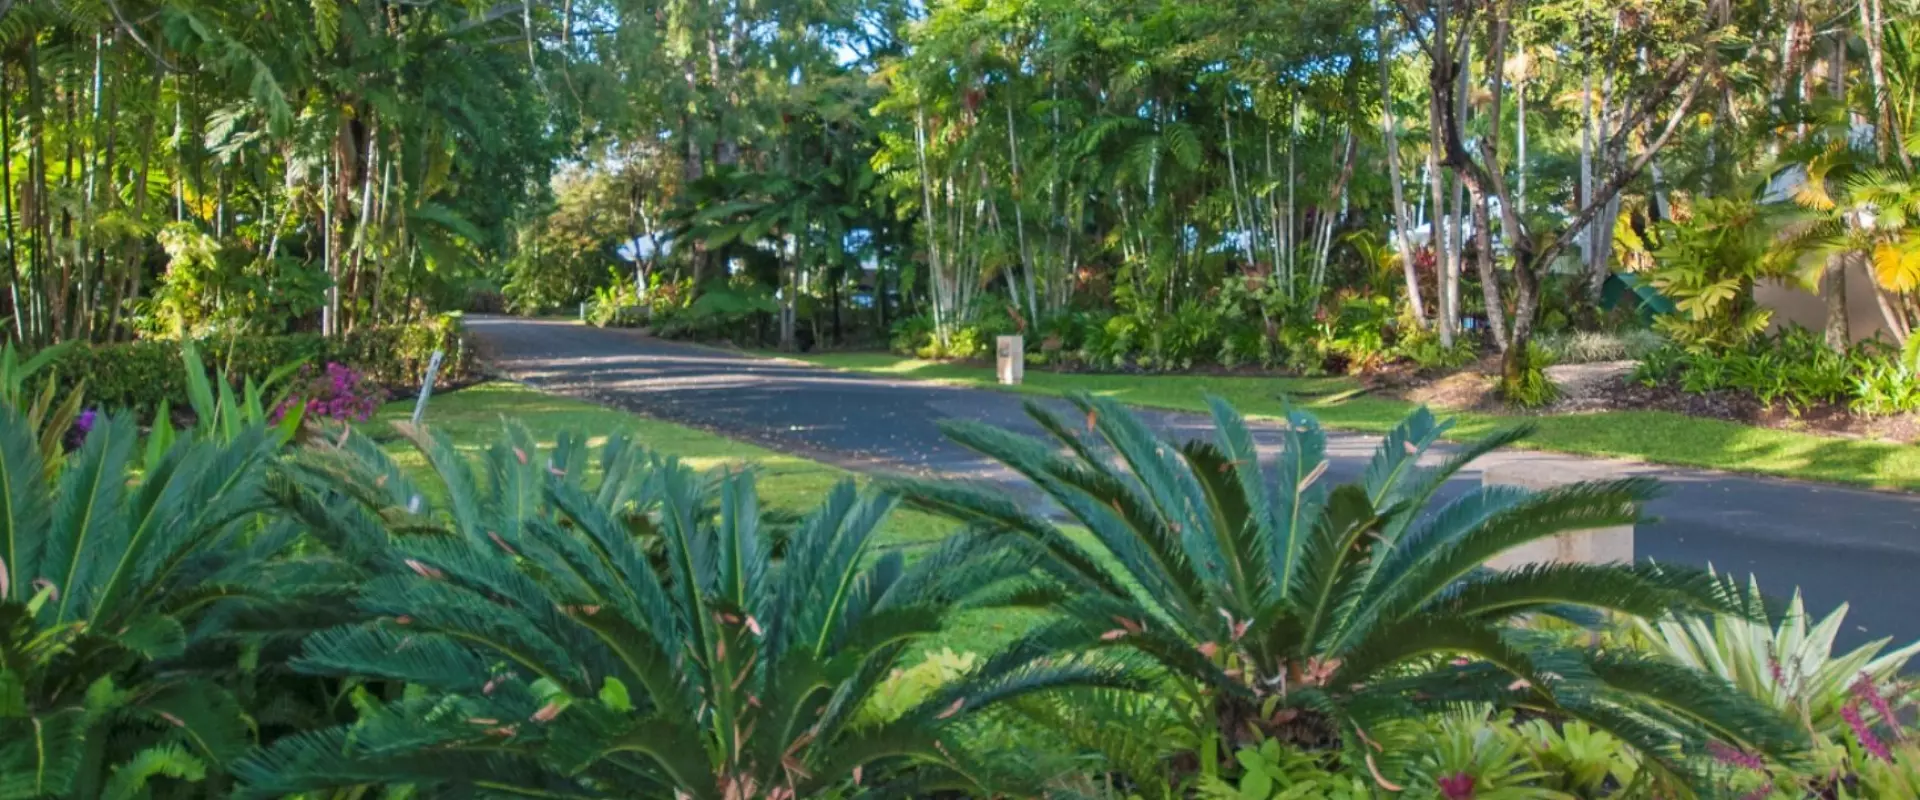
[(1836, 544)]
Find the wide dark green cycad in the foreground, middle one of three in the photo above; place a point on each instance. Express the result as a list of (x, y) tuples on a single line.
[(633, 636)]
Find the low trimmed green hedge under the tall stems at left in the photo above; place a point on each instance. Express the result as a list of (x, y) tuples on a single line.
[(139, 375)]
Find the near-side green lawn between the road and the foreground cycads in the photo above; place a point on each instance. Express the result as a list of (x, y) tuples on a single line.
[(473, 419)]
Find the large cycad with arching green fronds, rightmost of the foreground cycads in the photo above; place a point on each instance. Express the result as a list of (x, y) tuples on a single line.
[(1314, 613)]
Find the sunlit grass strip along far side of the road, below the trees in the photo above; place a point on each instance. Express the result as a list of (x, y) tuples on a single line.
[(1631, 435)]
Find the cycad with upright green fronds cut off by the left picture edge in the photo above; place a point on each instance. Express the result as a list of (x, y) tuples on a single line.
[(110, 592)]
